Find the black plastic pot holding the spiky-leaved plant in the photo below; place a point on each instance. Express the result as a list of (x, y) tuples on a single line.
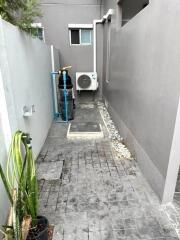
[(42, 233)]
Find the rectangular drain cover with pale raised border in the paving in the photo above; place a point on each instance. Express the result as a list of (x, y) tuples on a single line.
[(85, 130)]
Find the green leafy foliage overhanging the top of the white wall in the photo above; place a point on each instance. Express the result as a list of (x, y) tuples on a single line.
[(21, 13)]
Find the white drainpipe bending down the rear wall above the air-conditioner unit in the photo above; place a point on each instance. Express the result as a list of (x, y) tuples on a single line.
[(95, 22)]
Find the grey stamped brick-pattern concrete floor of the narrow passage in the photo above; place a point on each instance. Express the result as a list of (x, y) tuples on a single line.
[(89, 194)]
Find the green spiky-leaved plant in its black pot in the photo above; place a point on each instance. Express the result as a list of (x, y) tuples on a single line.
[(21, 185)]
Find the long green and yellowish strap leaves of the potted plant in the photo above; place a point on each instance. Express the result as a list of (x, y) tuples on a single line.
[(21, 174)]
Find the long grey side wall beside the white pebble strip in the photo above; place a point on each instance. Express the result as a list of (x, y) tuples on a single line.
[(144, 87)]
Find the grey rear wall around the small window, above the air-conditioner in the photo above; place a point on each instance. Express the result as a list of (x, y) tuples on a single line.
[(57, 14)]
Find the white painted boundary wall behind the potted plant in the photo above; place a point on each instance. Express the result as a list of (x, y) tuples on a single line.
[(25, 67)]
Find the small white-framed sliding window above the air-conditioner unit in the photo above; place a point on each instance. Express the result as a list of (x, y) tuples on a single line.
[(80, 36)]
